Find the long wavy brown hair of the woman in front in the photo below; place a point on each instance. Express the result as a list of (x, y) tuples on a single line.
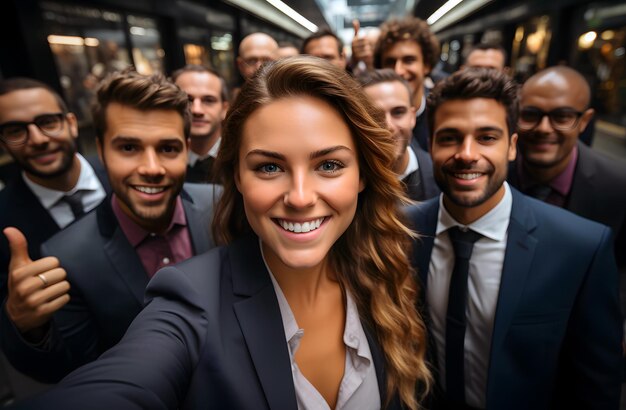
[(371, 257)]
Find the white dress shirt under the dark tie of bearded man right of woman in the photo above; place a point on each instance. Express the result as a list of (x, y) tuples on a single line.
[(485, 273)]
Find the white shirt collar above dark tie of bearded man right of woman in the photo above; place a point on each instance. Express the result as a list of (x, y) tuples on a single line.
[(494, 224)]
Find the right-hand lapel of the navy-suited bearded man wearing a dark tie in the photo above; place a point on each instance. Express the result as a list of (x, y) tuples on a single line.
[(519, 254)]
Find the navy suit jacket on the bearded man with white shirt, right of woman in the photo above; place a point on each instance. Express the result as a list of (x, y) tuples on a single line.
[(557, 328)]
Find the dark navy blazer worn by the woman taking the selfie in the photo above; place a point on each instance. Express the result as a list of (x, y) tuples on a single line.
[(211, 337)]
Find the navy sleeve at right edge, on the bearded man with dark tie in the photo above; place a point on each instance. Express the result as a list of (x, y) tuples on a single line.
[(592, 357)]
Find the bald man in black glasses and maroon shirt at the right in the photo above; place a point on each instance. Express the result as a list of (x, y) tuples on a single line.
[(555, 167)]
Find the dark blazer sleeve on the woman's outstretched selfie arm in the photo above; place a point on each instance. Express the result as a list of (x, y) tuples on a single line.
[(151, 367)]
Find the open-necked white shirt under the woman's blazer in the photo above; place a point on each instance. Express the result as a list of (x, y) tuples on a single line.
[(359, 385)]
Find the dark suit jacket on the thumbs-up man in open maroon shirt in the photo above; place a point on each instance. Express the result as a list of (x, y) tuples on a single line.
[(107, 283)]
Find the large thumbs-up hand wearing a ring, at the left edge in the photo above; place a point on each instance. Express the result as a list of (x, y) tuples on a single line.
[(36, 289)]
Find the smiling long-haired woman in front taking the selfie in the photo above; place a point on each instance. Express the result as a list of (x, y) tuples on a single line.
[(311, 301)]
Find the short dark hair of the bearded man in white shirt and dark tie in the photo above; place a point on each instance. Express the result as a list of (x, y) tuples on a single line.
[(476, 82)]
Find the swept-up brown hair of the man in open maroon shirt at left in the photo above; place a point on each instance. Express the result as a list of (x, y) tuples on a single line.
[(142, 92)]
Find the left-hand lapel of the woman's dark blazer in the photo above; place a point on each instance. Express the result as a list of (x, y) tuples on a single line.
[(261, 324)]
